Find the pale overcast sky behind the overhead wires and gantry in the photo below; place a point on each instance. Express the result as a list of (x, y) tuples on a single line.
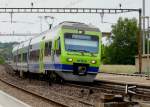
[(30, 23)]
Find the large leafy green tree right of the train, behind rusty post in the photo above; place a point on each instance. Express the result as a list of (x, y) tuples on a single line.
[(123, 47)]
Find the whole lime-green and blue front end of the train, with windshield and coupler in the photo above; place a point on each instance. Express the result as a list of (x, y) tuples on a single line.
[(81, 53)]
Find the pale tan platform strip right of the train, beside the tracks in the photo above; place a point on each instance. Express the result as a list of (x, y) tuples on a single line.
[(123, 79)]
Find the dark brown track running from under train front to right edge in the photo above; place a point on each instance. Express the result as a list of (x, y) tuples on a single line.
[(126, 90)]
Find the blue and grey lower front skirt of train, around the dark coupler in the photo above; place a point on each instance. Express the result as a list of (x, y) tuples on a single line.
[(67, 73)]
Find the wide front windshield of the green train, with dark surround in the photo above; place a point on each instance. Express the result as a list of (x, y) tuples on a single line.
[(81, 43)]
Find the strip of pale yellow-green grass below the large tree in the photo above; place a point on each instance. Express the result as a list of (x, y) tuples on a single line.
[(130, 69)]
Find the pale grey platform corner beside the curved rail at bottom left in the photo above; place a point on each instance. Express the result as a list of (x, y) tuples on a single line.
[(8, 101)]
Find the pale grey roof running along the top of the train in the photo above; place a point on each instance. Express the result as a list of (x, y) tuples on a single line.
[(49, 34)]
